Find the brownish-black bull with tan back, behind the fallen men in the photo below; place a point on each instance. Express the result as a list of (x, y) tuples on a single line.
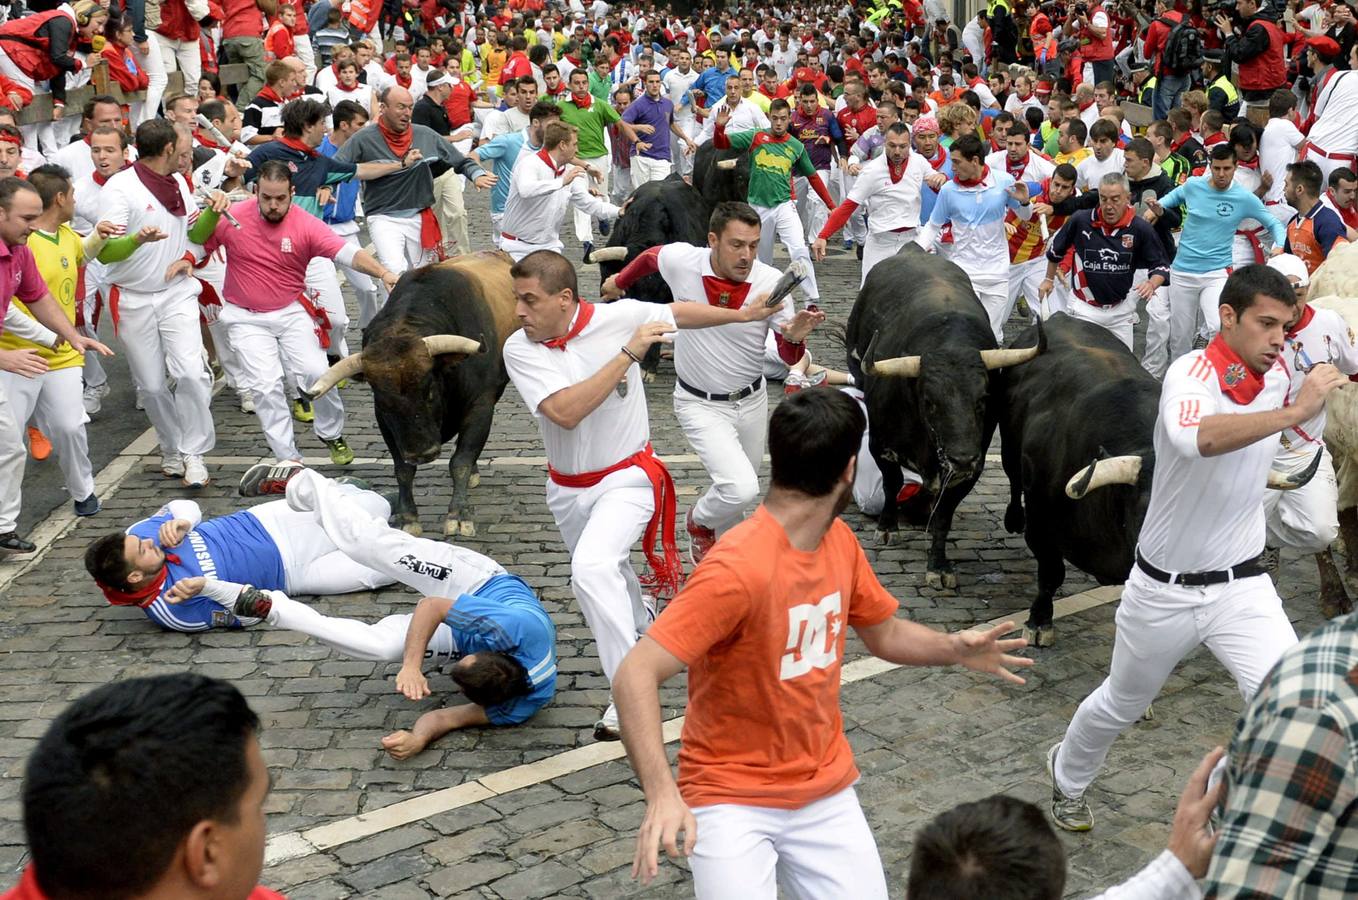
[(433, 358)]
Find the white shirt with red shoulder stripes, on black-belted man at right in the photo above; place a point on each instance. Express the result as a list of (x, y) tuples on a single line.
[(1207, 514)]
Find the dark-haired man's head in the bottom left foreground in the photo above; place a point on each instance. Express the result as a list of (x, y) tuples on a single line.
[(117, 802)]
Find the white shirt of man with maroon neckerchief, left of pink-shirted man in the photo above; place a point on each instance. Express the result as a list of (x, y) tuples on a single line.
[(127, 203)]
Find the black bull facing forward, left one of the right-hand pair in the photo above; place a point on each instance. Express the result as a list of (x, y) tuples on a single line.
[(921, 347)]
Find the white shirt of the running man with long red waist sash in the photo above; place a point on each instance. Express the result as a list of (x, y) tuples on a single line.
[(619, 427)]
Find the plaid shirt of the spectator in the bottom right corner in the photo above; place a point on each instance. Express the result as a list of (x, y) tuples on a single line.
[(1293, 779)]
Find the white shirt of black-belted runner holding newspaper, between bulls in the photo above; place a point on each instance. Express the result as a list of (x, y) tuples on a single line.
[(727, 358)]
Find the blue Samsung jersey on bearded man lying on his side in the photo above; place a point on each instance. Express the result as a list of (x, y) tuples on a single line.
[(234, 549)]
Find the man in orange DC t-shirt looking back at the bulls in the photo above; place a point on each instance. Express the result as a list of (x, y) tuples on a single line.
[(765, 792)]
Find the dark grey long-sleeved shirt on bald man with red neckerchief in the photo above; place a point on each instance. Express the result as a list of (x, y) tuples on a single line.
[(411, 188)]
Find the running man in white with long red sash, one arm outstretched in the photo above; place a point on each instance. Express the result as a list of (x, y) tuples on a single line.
[(574, 364)]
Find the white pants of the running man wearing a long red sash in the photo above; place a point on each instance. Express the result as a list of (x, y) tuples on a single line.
[(601, 526)]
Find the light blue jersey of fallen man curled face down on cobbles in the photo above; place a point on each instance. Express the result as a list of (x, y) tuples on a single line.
[(504, 616)]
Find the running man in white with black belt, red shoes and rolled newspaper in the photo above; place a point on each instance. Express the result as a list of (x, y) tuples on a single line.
[(720, 397)]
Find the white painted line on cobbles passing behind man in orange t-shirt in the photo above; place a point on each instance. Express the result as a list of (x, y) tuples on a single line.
[(297, 845)]
